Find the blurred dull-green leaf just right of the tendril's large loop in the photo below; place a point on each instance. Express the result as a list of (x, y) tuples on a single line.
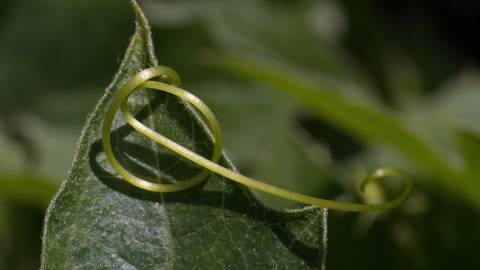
[(275, 149)]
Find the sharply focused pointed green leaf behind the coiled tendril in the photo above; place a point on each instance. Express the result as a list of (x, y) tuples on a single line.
[(99, 221)]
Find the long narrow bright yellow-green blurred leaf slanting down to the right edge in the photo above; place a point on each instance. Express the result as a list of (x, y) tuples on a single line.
[(370, 122)]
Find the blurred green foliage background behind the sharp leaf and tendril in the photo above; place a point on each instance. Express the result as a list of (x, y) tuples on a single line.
[(414, 60)]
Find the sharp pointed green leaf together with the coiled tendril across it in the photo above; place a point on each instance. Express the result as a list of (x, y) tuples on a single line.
[(94, 206)]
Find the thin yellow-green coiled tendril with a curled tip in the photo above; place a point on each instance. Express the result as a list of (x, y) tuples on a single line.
[(142, 81)]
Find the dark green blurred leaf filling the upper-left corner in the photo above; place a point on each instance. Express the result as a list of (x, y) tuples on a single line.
[(47, 57)]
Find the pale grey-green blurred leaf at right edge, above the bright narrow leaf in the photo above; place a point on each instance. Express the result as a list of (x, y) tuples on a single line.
[(453, 107)]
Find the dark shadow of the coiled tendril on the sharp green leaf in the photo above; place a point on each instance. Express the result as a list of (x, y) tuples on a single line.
[(215, 192)]
